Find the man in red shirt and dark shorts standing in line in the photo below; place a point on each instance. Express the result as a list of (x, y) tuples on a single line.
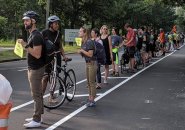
[(130, 44)]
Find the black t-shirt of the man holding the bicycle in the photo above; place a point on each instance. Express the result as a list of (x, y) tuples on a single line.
[(47, 34)]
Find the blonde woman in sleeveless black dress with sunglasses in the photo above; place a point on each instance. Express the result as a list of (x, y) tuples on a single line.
[(108, 49)]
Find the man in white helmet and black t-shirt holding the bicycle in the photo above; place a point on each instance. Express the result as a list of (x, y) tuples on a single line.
[(54, 35)]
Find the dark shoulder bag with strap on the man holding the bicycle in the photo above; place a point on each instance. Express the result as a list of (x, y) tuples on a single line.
[(49, 49)]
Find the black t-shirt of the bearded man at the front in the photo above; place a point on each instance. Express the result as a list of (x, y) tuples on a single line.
[(35, 39)]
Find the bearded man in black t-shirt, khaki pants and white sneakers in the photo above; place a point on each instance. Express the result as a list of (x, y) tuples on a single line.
[(36, 67)]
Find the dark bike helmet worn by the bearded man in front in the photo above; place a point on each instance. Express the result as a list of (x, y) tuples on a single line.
[(31, 15)]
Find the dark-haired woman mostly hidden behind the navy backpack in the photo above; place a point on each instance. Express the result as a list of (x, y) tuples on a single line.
[(95, 34)]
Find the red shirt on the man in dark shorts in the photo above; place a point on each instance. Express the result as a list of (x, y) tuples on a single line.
[(131, 34)]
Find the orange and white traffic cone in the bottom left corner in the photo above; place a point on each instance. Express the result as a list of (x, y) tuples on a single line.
[(4, 114)]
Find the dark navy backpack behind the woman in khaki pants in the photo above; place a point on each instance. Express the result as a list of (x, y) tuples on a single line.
[(99, 52)]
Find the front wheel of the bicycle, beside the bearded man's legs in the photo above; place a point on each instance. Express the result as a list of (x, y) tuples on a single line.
[(54, 97)]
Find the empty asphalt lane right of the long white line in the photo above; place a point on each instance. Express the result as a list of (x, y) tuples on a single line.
[(149, 101)]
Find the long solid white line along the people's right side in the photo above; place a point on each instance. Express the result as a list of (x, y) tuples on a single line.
[(52, 127)]
